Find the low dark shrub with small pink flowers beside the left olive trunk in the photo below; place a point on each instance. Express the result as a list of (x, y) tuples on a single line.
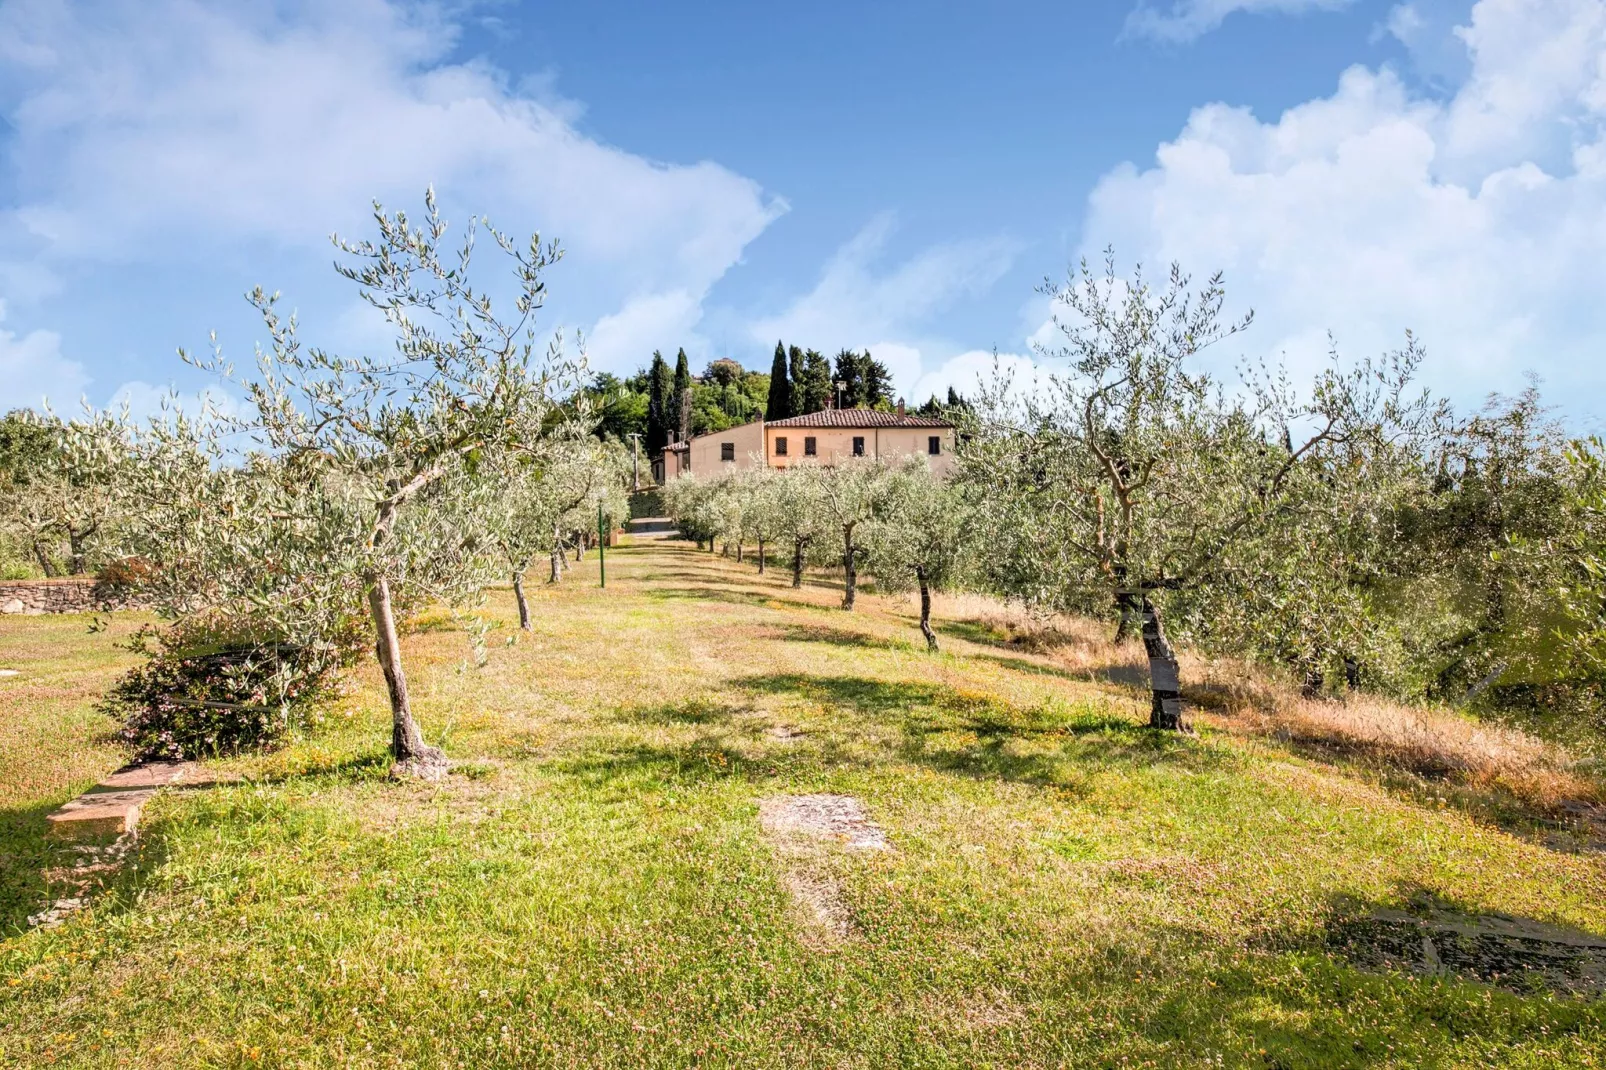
[(210, 690)]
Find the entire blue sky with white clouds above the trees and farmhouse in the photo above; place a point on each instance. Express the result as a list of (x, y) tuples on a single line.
[(897, 176)]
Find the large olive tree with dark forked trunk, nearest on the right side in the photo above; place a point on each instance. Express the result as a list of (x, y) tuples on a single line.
[(1141, 475)]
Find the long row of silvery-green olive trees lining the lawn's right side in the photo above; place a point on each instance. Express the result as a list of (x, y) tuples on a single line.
[(1359, 531)]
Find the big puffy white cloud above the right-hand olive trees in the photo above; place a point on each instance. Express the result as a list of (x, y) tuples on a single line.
[(1374, 211)]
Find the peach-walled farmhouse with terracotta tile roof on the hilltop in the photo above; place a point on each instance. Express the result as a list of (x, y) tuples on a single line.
[(825, 438)]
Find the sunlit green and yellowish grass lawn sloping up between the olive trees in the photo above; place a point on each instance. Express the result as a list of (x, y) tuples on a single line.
[(593, 886)]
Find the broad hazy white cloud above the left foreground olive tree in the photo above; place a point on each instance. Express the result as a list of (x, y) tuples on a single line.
[(161, 131)]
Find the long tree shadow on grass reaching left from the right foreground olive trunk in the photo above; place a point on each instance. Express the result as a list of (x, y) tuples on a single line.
[(984, 737)]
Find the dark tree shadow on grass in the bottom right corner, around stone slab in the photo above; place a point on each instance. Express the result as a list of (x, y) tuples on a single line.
[(1290, 1000)]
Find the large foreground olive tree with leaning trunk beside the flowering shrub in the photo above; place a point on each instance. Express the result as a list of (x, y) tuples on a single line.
[(377, 460)]
